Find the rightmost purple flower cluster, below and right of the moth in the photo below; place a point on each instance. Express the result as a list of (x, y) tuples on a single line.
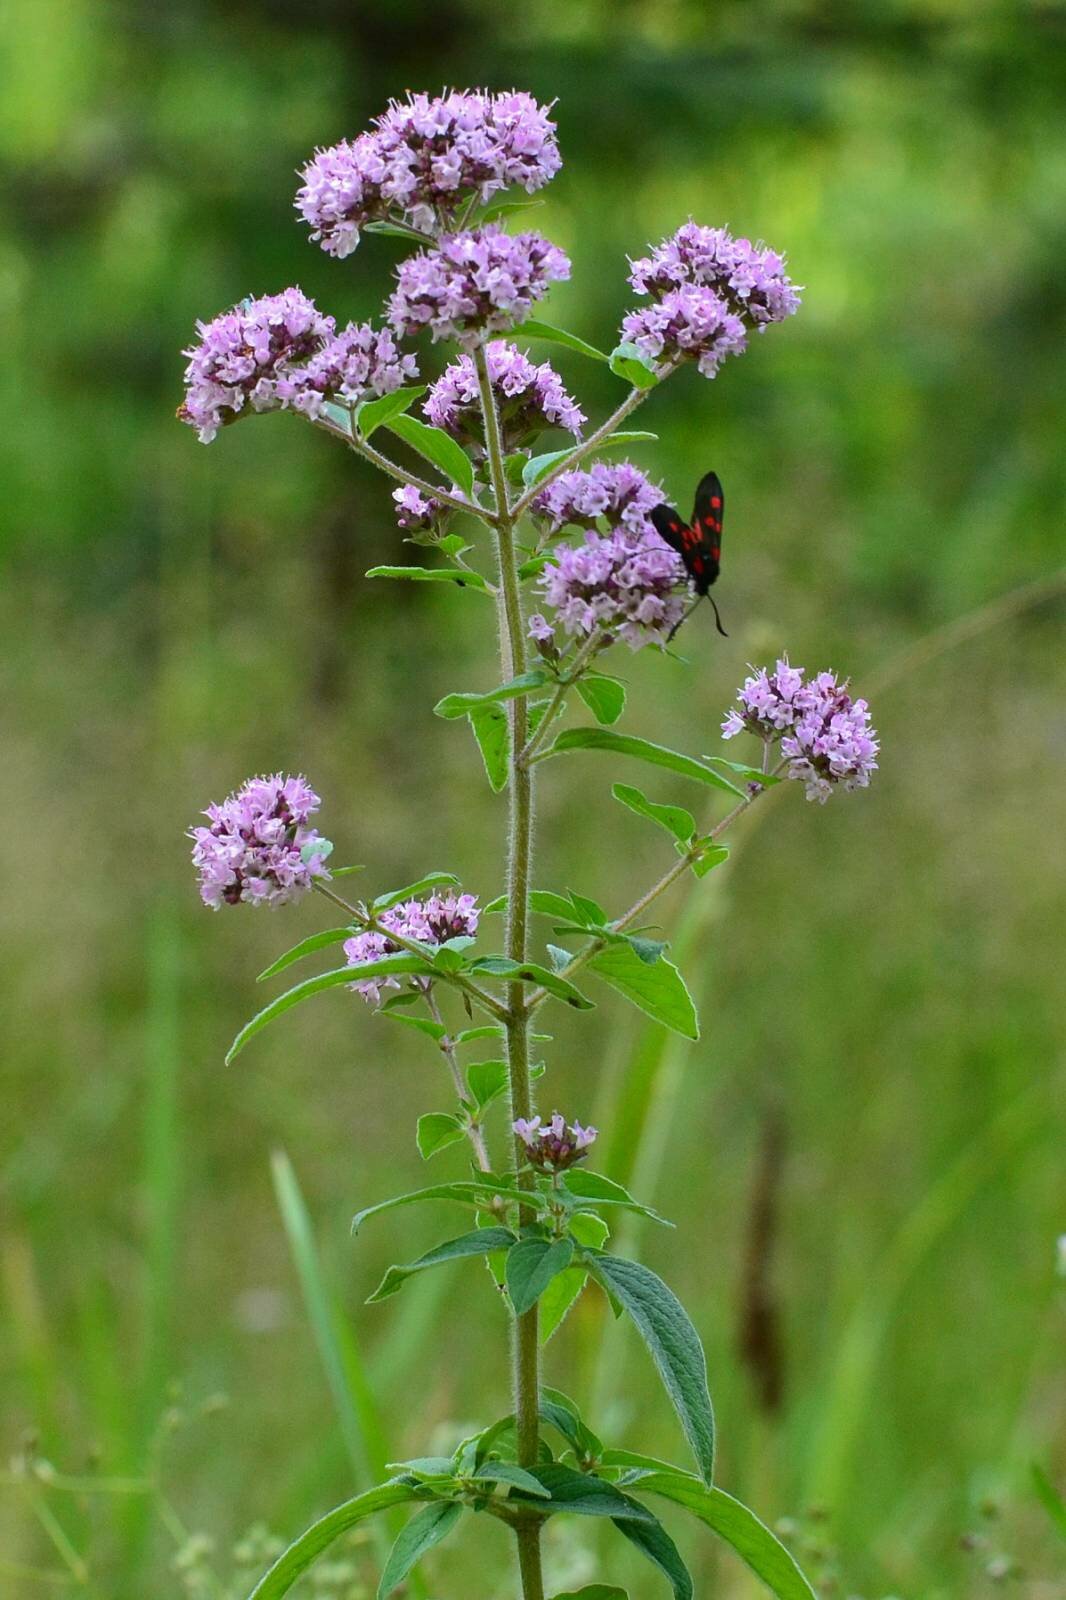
[(827, 737)]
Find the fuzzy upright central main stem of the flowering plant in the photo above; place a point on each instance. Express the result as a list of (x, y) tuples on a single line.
[(526, 1356)]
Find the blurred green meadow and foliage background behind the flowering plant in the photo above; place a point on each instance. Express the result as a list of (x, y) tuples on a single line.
[(881, 1063)]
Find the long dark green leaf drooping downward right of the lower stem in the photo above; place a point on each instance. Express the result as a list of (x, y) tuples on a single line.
[(675, 1346)]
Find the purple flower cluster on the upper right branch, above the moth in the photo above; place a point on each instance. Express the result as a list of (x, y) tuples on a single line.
[(708, 292)]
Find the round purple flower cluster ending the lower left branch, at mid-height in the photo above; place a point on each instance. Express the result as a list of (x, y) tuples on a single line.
[(258, 847)]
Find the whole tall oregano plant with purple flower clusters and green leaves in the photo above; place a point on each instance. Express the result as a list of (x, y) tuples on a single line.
[(564, 546)]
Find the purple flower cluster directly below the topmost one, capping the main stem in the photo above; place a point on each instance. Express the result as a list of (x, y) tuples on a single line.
[(475, 284)]
